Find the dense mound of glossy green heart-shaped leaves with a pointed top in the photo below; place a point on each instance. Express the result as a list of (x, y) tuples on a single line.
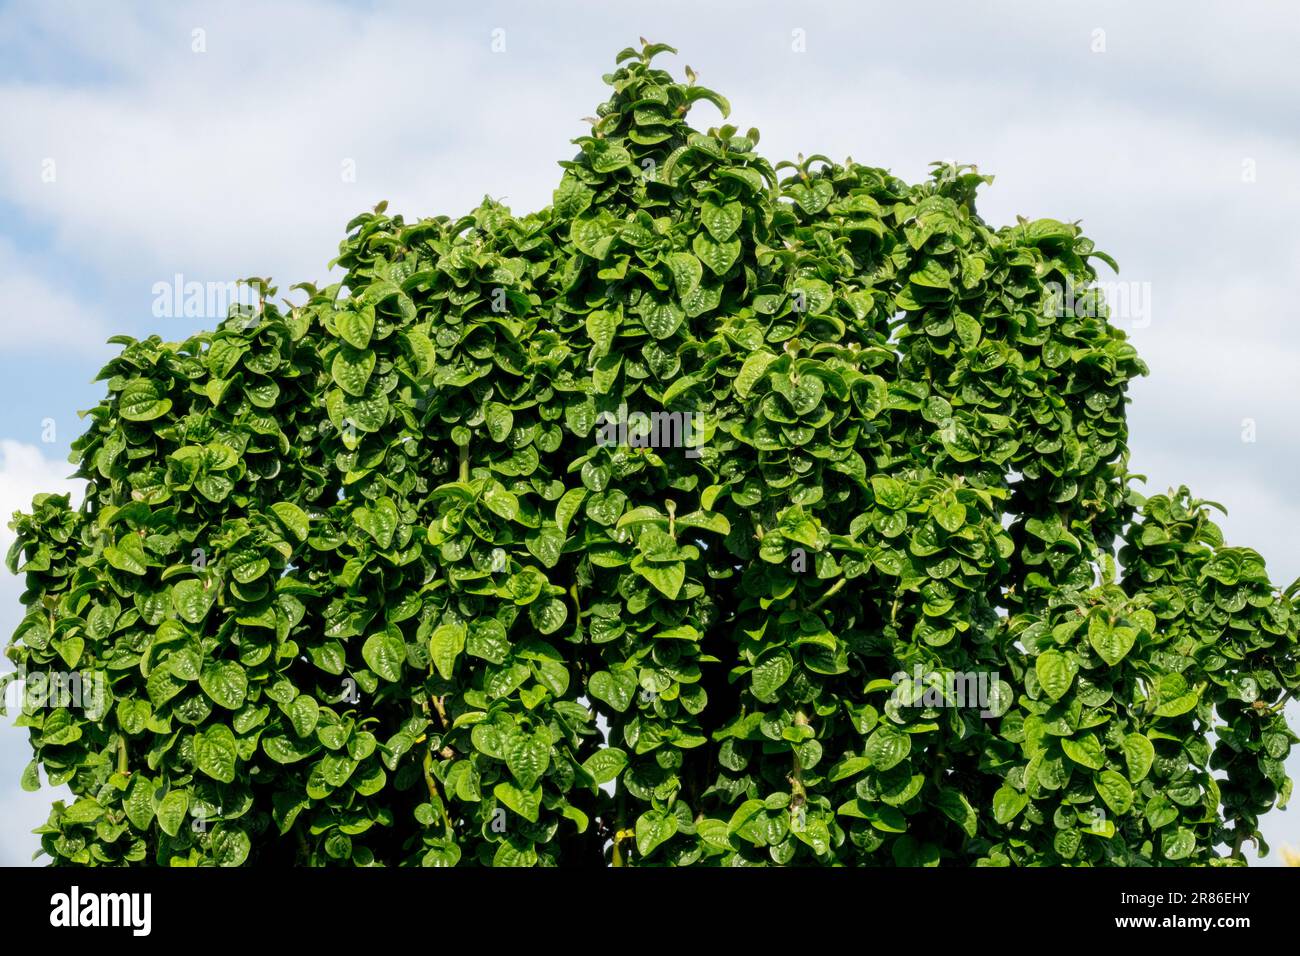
[(912, 461)]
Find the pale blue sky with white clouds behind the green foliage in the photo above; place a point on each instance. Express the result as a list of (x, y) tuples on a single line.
[(205, 141)]
